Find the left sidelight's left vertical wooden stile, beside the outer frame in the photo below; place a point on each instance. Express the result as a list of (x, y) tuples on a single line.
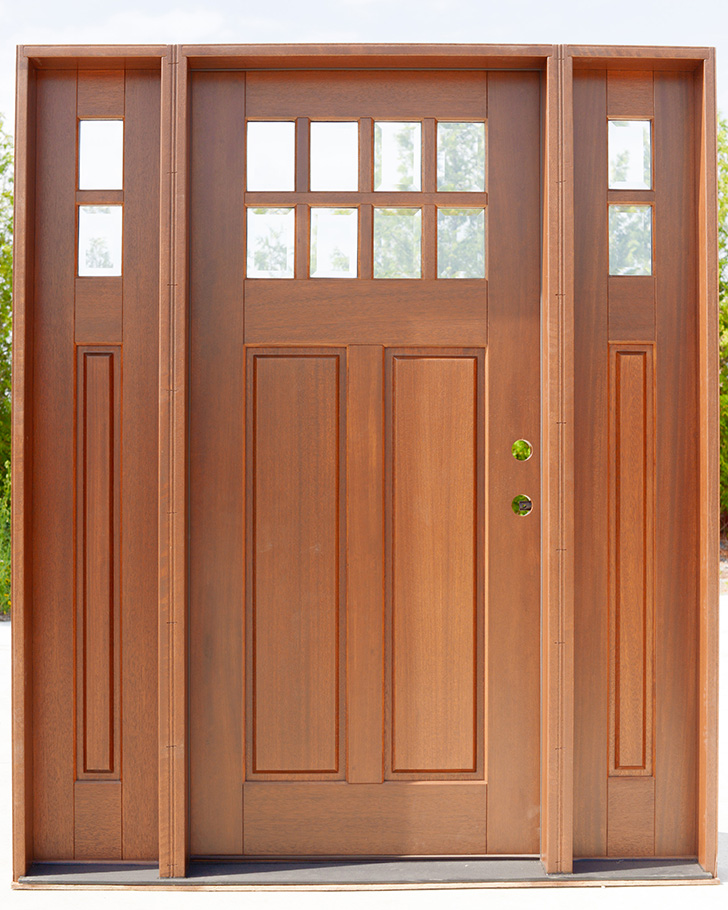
[(53, 462)]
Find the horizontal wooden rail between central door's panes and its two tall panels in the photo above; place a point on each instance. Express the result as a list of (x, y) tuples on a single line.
[(389, 312)]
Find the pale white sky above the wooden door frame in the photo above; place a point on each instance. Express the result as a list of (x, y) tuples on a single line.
[(653, 22)]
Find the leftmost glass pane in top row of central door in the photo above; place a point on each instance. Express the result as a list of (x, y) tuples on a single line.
[(271, 156)]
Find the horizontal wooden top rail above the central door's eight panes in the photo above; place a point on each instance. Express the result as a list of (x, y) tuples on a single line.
[(347, 95)]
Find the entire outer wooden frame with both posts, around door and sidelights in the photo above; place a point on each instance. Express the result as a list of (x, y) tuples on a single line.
[(557, 64)]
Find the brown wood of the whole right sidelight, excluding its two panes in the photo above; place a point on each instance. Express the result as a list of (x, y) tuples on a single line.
[(658, 733)]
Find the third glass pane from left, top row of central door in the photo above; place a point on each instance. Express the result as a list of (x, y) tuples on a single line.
[(397, 156)]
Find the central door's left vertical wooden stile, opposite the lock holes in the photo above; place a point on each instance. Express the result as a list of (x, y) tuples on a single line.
[(217, 507)]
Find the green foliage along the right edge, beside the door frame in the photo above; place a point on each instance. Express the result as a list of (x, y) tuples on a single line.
[(723, 277)]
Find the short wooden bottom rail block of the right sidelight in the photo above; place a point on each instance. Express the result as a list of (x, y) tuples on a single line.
[(631, 813)]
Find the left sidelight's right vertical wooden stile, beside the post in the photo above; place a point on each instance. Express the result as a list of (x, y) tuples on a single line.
[(140, 435)]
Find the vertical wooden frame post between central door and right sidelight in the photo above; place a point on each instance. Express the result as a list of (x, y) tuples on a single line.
[(557, 409)]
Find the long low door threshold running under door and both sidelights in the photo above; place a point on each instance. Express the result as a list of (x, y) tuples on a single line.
[(375, 874)]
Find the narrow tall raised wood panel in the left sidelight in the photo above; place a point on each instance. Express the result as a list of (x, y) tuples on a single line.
[(98, 561)]
